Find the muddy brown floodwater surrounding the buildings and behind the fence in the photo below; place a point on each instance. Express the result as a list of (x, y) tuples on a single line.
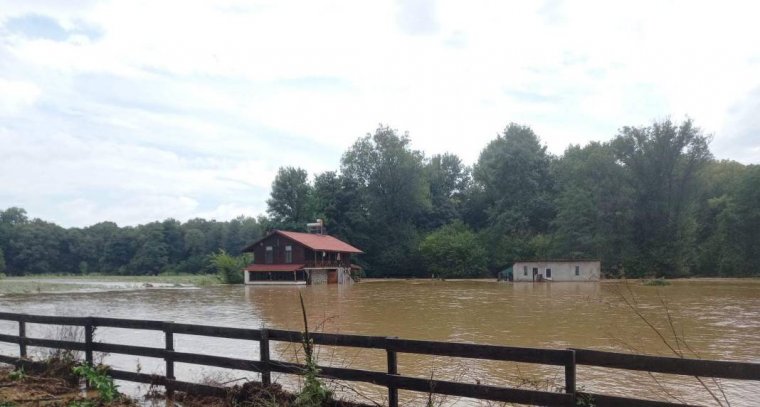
[(716, 319)]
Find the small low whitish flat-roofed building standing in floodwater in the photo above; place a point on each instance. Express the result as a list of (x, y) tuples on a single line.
[(557, 270)]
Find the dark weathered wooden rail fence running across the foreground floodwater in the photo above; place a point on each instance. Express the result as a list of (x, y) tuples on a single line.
[(392, 379)]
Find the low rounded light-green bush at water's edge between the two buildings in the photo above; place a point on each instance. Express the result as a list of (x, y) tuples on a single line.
[(453, 251)]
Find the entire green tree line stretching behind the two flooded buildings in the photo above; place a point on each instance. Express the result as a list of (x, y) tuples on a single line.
[(651, 202)]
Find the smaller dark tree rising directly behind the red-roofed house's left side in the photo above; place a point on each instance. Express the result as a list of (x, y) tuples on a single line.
[(289, 202)]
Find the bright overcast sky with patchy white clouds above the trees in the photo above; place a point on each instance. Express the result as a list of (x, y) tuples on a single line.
[(138, 111)]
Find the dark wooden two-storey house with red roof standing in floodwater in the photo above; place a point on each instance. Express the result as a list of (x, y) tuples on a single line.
[(284, 257)]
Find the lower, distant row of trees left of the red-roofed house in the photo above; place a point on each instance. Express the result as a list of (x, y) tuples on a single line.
[(37, 247)]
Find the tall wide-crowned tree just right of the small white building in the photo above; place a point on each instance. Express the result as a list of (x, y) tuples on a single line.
[(663, 160)]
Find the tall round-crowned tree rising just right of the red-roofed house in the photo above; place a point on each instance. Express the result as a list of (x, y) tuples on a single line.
[(391, 193)]
